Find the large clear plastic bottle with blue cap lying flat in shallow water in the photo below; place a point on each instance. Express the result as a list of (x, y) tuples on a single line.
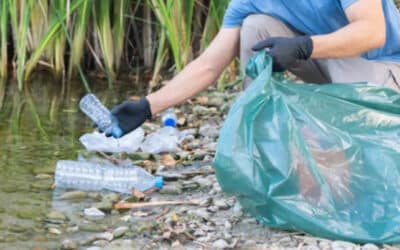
[(96, 177)]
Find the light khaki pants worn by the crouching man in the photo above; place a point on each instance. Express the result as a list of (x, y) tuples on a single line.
[(355, 69)]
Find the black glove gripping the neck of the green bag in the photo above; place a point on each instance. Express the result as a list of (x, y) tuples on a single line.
[(286, 51)]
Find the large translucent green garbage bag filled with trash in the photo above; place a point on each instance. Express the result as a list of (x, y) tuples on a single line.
[(323, 159)]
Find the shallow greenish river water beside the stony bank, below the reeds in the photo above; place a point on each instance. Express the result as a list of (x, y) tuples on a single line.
[(39, 126)]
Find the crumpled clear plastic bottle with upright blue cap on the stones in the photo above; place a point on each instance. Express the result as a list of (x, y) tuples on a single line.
[(166, 138)]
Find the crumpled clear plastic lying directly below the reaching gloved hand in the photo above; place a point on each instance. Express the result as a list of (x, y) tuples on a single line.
[(99, 142)]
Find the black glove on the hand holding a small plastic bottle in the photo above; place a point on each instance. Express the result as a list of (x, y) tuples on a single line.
[(131, 114)]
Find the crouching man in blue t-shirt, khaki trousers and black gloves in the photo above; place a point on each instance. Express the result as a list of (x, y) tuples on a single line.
[(319, 41)]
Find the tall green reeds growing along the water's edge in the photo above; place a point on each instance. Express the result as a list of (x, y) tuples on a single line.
[(71, 38)]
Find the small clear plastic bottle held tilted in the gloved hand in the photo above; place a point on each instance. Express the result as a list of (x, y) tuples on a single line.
[(100, 115)]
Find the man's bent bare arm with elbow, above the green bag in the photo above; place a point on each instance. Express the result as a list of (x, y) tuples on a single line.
[(366, 31)]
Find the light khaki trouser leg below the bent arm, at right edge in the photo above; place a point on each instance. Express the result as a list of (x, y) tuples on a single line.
[(358, 69)]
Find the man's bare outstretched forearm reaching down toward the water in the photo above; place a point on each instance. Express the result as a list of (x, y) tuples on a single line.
[(200, 73)]
